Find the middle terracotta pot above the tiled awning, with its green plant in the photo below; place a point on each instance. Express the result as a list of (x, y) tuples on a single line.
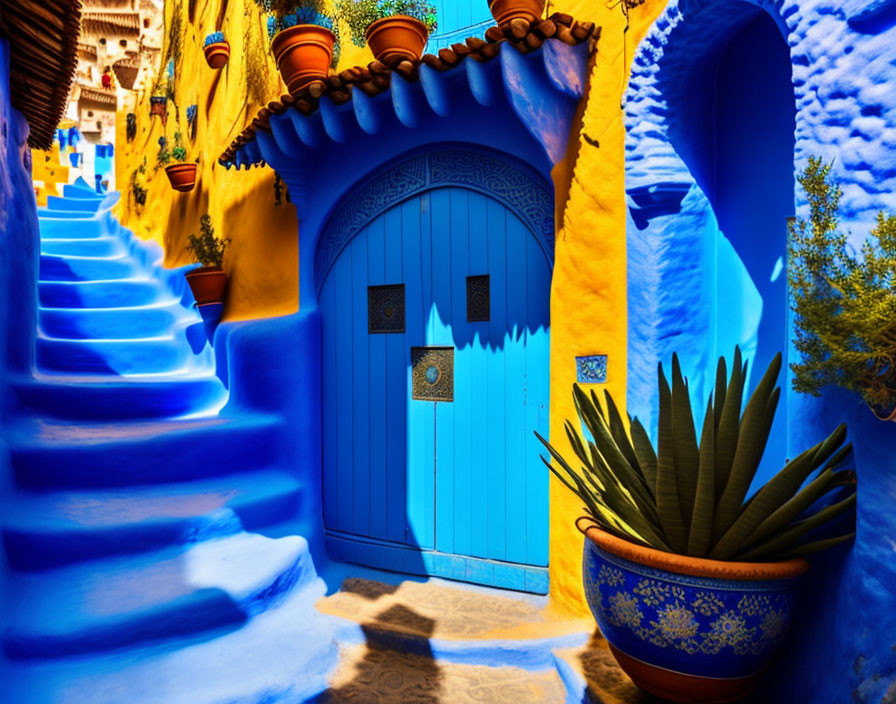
[(395, 30)]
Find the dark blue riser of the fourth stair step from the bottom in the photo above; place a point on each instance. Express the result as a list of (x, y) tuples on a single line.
[(81, 402)]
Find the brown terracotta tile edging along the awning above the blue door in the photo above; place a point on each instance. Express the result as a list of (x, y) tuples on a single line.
[(375, 78)]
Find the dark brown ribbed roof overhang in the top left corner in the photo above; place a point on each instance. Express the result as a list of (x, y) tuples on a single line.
[(43, 45)]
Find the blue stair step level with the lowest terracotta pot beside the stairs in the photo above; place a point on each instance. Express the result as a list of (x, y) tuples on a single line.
[(100, 294)]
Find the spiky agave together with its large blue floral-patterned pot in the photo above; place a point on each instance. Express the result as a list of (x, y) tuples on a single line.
[(691, 581)]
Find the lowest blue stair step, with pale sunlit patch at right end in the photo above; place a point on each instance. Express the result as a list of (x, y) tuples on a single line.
[(109, 604)]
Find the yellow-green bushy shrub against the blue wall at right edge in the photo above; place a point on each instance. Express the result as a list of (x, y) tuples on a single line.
[(845, 308)]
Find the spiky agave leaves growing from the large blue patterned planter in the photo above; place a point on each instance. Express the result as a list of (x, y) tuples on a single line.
[(691, 499)]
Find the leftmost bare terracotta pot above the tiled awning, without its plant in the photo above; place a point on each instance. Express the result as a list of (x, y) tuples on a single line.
[(304, 54)]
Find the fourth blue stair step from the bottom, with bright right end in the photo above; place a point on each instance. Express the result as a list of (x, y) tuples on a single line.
[(105, 397)]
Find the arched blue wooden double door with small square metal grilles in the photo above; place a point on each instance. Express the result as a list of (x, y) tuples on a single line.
[(459, 479)]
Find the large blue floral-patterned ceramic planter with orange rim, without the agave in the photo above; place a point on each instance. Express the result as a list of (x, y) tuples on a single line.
[(688, 630)]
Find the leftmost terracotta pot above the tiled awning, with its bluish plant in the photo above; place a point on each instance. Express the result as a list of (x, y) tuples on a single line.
[(303, 39)]
